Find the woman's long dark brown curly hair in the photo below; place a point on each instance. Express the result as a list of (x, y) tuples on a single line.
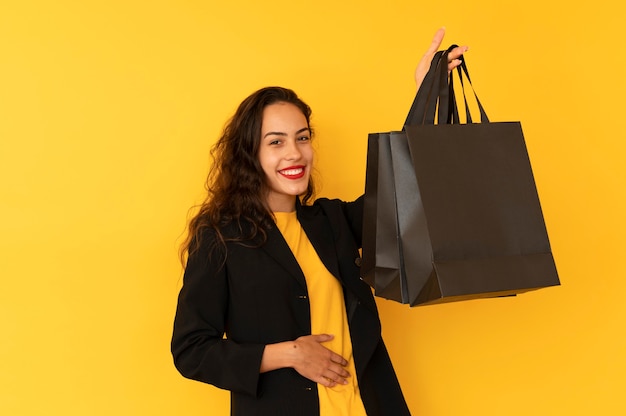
[(236, 183)]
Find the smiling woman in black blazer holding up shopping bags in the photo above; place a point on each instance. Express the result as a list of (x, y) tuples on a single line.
[(280, 276)]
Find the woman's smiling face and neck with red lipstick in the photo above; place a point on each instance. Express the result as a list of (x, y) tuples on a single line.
[(285, 154)]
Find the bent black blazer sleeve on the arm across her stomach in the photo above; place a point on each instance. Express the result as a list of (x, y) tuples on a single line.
[(199, 348)]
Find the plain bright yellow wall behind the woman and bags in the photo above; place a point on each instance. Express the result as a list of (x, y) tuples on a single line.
[(107, 112)]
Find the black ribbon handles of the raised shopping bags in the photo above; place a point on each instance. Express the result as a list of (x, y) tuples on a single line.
[(436, 94)]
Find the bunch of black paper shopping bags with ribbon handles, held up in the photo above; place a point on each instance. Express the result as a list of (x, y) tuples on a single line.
[(451, 210)]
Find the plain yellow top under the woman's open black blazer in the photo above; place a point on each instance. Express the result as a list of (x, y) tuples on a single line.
[(328, 316)]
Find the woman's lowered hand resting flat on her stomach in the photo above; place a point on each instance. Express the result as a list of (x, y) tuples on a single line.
[(309, 358)]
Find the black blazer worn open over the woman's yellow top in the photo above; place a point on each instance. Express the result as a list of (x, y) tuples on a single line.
[(258, 296)]
